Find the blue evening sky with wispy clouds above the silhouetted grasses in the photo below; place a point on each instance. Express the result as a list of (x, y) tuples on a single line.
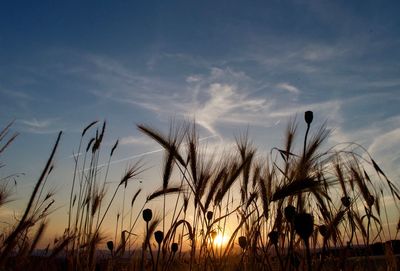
[(230, 65)]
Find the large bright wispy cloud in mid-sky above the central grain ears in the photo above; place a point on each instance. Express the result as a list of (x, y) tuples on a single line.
[(222, 96)]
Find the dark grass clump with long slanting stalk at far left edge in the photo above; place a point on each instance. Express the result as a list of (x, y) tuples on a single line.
[(20, 240)]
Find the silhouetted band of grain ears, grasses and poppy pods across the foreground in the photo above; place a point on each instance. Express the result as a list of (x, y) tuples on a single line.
[(300, 208)]
